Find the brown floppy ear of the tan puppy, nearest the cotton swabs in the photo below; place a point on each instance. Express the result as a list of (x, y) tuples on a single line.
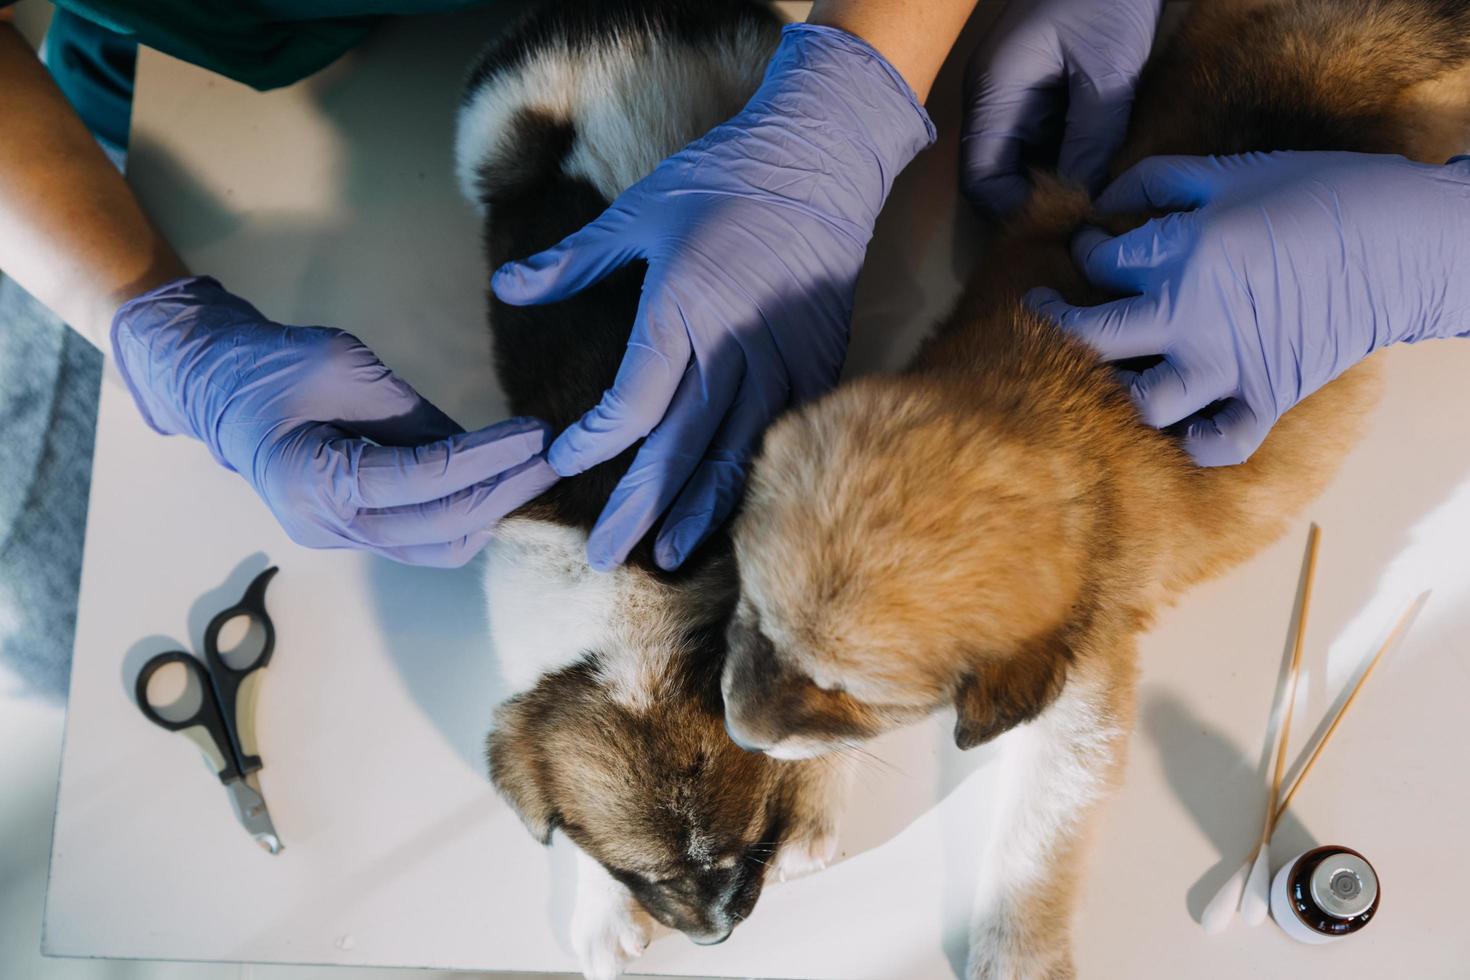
[(1005, 691)]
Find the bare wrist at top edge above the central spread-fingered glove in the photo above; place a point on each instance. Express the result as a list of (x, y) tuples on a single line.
[(915, 36)]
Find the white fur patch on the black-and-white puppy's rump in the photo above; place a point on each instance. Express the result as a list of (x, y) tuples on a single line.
[(618, 95)]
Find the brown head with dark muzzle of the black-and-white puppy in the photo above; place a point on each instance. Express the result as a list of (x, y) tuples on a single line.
[(652, 788)]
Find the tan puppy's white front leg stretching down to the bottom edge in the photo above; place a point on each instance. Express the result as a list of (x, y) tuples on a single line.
[(1056, 771)]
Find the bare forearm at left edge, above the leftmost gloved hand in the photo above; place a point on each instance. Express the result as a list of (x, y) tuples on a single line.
[(71, 231)]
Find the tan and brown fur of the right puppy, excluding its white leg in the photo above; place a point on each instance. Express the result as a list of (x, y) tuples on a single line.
[(911, 530)]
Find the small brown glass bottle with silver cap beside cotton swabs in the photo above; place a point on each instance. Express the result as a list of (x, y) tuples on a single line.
[(1325, 894)]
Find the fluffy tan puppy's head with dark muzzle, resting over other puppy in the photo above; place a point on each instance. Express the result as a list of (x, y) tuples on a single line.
[(897, 558)]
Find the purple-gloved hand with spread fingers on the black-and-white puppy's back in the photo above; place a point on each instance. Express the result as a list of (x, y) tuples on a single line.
[(755, 236)]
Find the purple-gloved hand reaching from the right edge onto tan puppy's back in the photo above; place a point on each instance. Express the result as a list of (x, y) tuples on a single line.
[(1291, 270)]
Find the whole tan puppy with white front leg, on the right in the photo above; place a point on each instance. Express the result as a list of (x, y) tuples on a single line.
[(993, 528)]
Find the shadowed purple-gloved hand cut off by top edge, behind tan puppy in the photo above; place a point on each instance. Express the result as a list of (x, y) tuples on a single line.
[(1044, 55)]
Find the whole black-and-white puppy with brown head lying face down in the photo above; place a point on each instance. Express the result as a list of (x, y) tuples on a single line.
[(615, 732)]
